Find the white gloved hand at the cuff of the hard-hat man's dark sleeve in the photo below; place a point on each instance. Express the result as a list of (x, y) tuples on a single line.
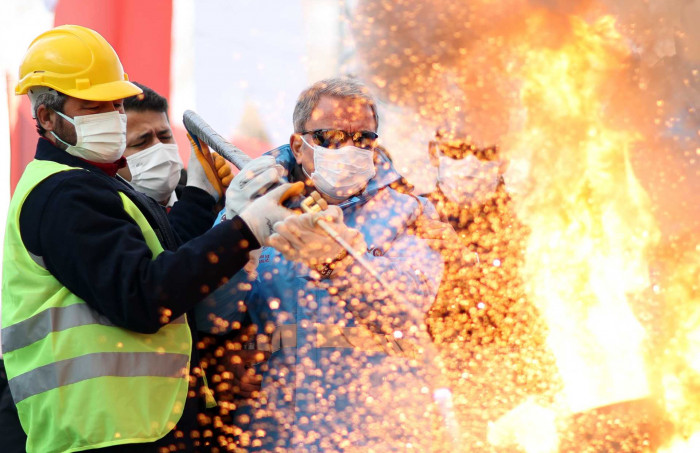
[(263, 212)]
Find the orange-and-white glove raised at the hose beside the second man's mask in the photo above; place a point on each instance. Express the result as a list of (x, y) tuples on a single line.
[(203, 172)]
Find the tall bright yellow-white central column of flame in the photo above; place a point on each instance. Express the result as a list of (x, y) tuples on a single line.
[(590, 220)]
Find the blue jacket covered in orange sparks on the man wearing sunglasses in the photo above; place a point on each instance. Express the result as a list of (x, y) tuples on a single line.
[(332, 382)]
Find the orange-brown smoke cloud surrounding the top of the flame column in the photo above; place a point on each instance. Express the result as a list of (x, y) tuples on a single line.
[(457, 65)]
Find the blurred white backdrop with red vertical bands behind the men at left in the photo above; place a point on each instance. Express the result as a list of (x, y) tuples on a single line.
[(238, 64)]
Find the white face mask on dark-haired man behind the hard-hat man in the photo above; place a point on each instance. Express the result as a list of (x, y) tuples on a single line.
[(155, 171)]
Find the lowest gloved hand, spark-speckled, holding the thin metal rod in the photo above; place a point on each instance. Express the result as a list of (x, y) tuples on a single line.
[(299, 238)]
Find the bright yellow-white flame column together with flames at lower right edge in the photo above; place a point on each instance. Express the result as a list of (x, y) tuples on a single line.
[(592, 230)]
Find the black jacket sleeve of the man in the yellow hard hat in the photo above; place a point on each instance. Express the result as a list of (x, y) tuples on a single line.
[(77, 224)]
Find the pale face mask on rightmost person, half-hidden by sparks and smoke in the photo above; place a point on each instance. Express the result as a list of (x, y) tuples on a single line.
[(468, 180)]
